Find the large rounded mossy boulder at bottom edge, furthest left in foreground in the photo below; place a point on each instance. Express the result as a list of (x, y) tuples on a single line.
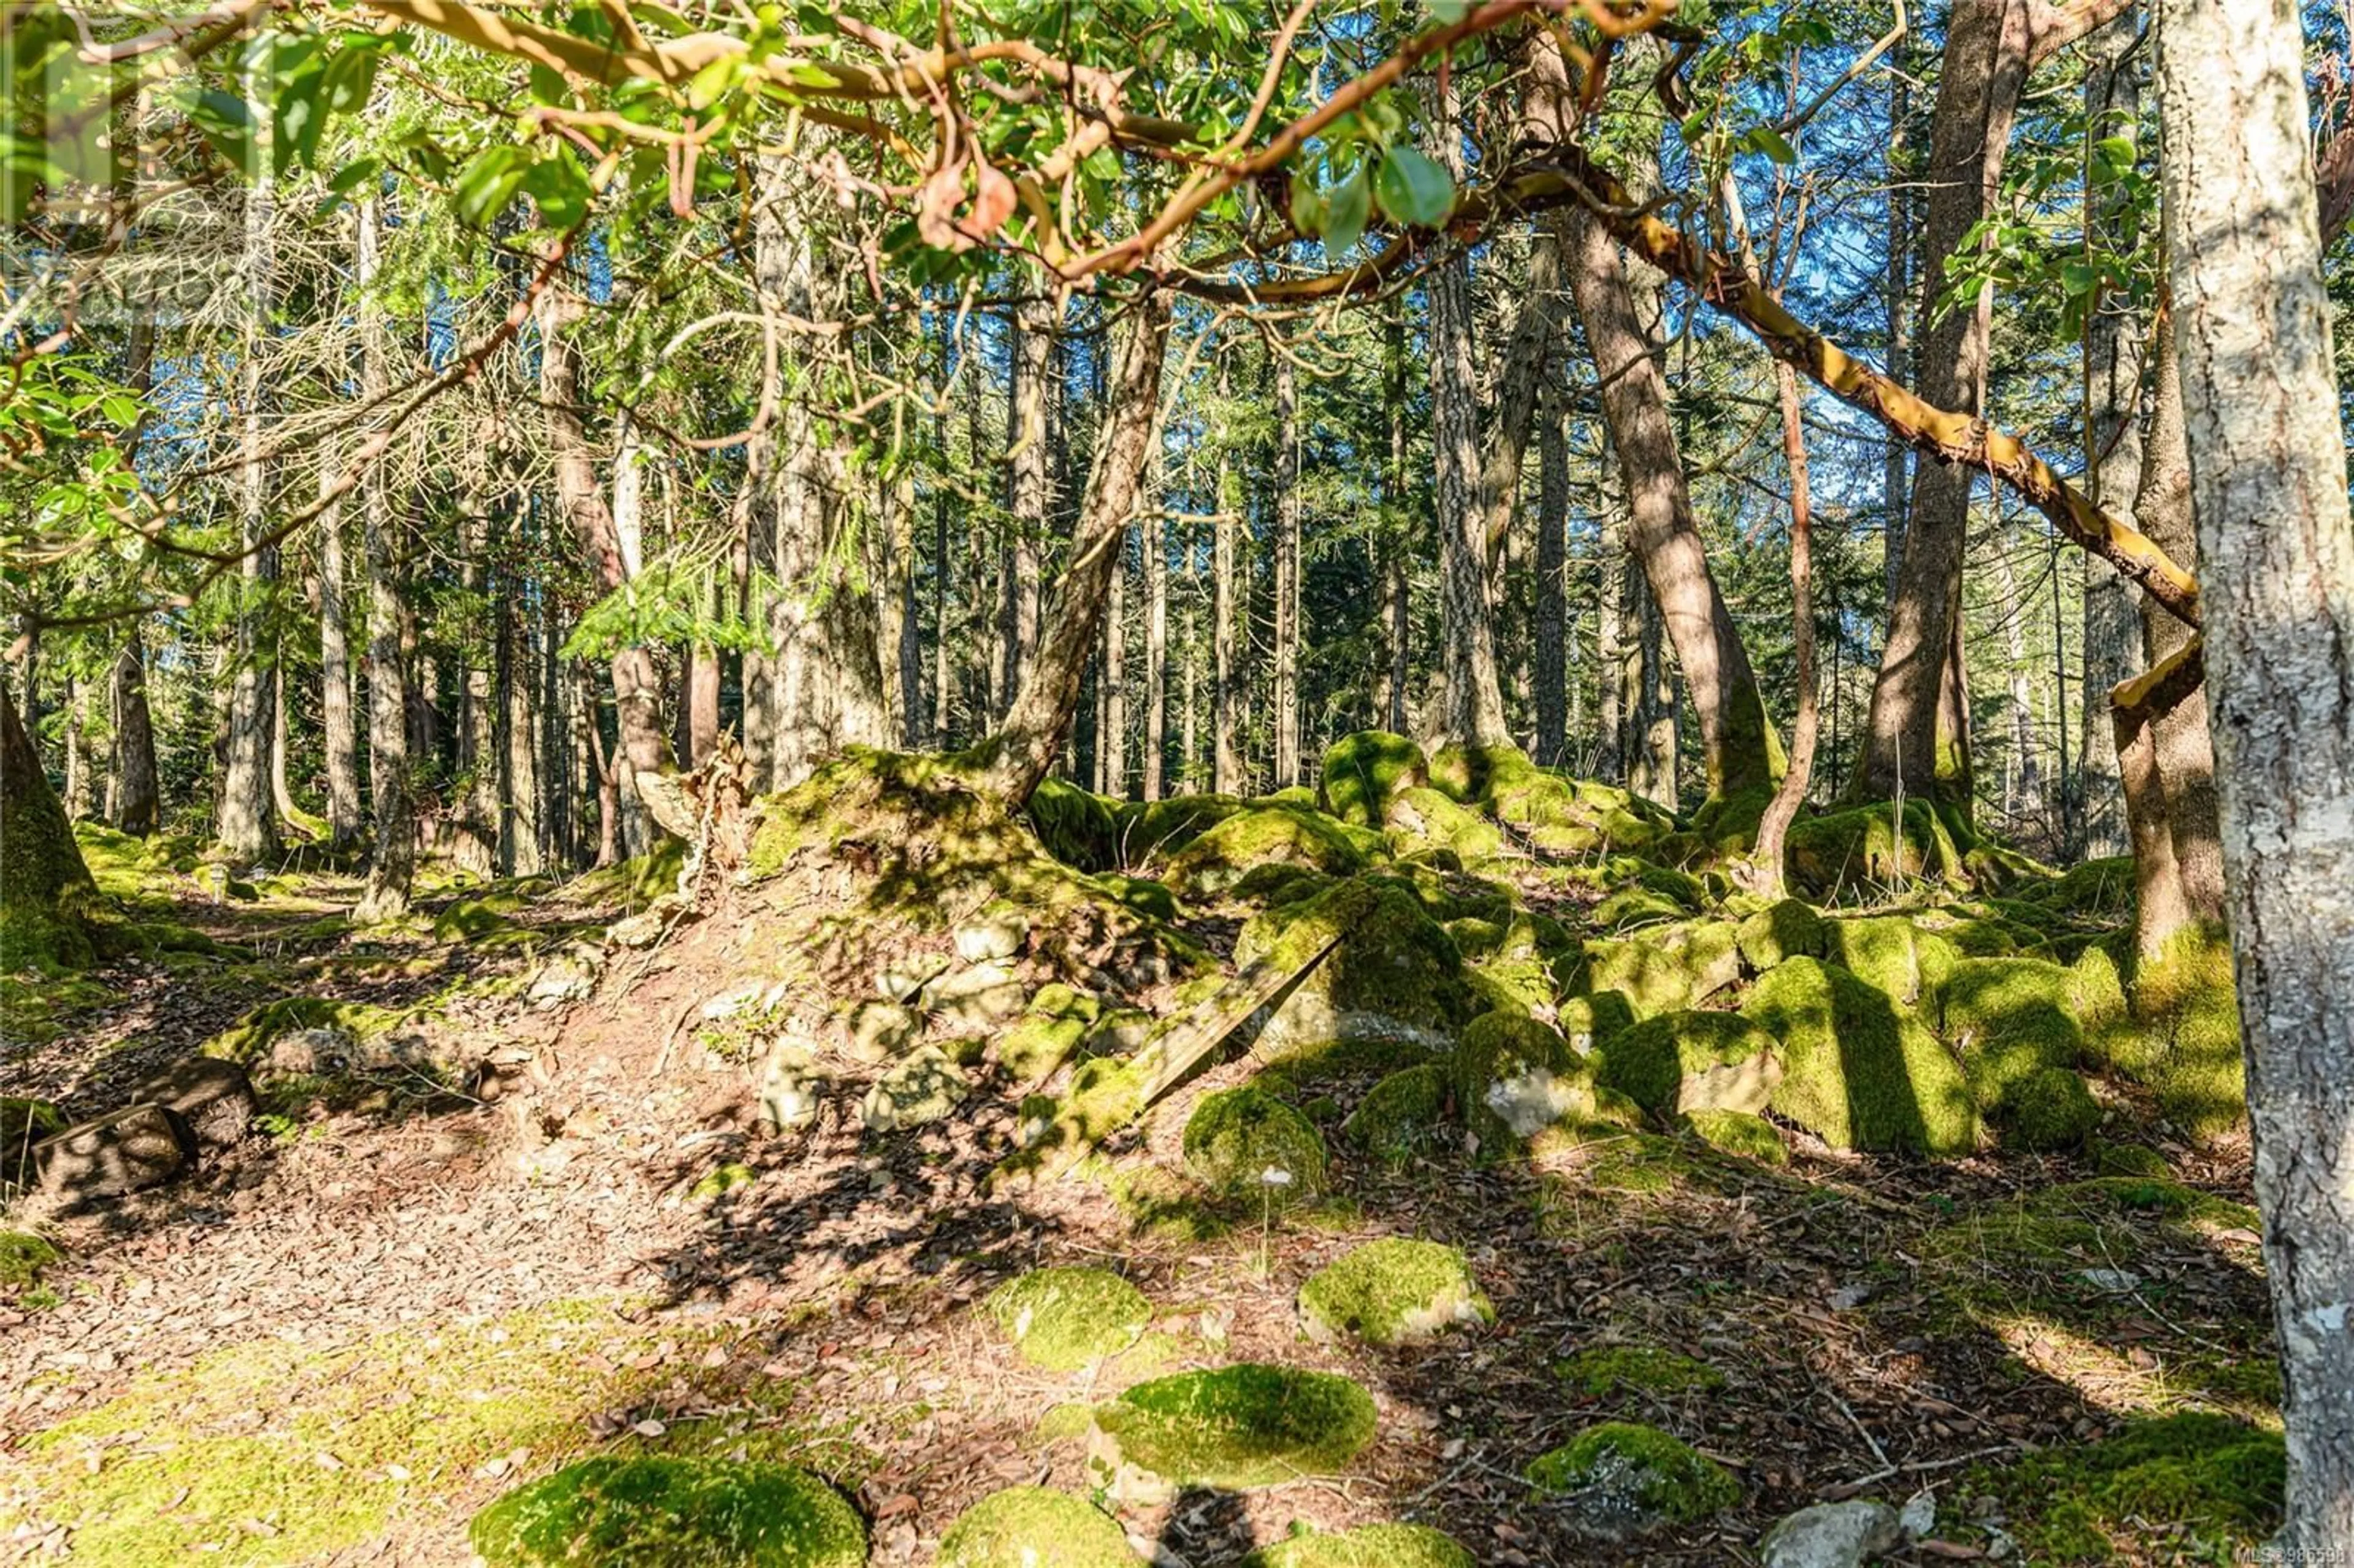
[(670, 1513)]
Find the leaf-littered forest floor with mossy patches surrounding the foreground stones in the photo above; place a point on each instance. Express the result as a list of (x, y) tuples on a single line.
[(340, 1341)]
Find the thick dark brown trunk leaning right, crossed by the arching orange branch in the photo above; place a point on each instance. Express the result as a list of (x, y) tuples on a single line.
[(1913, 740)]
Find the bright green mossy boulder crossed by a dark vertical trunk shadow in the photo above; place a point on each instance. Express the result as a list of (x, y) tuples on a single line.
[(1858, 1070)]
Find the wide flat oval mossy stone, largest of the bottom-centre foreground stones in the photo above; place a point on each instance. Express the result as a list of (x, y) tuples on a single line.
[(1237, 1428)]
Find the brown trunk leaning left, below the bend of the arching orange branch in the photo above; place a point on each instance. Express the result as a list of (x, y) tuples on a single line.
[(1663, 536)]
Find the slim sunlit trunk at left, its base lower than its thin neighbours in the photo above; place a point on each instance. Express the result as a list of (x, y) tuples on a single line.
[(394, 858)]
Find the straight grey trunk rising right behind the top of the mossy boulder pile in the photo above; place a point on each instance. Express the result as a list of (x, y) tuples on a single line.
[(1472, 700)]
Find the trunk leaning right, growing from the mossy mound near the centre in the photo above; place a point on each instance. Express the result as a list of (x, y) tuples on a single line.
[(1042, 715)]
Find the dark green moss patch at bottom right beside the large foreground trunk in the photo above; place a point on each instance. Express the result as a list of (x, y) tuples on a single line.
[(2209, 1482)]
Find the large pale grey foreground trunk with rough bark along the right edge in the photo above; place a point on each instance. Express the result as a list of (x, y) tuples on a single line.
[(2277, 576)]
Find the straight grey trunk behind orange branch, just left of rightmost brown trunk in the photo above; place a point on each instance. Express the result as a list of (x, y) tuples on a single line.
[(2113, 644)]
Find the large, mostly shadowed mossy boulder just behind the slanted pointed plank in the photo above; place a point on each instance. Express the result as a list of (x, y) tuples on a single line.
[(1392, 976)]
